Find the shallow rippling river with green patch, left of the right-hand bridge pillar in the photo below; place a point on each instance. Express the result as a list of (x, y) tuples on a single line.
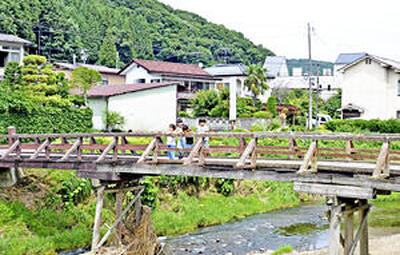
[(304, 228)]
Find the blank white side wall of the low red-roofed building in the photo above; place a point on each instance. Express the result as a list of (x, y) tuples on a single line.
[(147, 110)]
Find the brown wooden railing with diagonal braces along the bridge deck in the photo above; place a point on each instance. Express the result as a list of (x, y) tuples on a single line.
[(309, 152)]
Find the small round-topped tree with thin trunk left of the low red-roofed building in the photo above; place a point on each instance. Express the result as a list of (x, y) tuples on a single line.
[(84, 79)]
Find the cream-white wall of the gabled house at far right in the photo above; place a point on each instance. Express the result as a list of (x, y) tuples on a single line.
[(373, 88)]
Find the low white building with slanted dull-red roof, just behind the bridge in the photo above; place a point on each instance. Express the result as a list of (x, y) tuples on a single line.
[(145, 107)]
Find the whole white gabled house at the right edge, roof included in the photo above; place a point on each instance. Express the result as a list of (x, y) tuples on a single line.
[(371, 88)]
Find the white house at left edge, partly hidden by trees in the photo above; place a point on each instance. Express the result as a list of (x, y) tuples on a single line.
[(11, 49)]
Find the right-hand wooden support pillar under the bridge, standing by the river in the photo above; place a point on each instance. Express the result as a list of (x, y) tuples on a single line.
[(342, 210)]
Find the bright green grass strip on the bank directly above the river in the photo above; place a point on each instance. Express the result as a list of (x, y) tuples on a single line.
[(183, 213)]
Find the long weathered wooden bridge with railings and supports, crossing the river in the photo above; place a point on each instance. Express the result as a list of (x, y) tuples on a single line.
[(347, 168)]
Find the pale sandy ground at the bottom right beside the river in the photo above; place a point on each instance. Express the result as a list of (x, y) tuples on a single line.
[(388, 245)]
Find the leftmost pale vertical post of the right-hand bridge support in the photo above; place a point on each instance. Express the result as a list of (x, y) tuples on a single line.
[(334, 228)]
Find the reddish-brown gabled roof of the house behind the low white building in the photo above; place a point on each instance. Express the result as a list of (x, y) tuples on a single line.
[(169, 68)]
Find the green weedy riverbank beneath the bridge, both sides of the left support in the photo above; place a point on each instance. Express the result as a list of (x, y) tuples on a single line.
[(52, 211)]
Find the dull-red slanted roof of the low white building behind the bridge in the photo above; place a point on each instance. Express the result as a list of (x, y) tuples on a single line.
[(114, 90)]
